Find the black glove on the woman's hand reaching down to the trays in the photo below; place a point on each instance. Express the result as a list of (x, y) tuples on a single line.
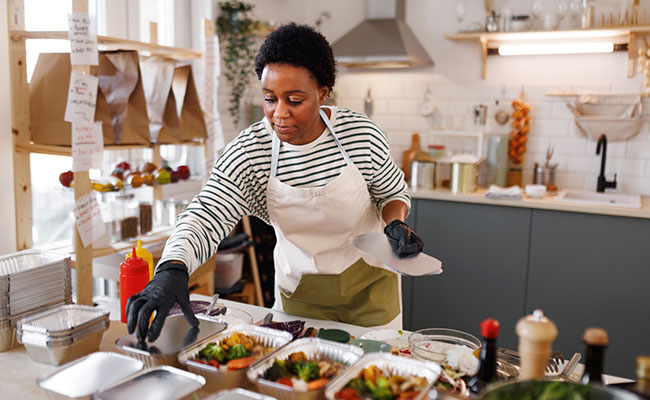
[(168, 287)]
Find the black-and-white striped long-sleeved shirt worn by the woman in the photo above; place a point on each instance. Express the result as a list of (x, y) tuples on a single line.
[(239, 178)]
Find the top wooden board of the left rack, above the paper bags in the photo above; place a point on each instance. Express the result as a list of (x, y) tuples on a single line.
[(110, 42)]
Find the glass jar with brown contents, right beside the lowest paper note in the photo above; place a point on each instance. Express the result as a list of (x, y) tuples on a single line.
[(125, 215)]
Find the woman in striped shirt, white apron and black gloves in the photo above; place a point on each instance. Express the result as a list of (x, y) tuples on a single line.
[(319, 175)]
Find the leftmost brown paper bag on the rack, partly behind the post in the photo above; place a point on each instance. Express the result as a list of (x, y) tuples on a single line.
[(48, 93)]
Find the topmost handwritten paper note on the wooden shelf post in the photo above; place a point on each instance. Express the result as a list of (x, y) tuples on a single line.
[(83, 39)]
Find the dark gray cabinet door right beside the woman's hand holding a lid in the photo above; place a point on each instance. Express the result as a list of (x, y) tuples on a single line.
[(484, 253)]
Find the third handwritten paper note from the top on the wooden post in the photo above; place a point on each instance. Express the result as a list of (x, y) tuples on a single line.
[(87, 146)]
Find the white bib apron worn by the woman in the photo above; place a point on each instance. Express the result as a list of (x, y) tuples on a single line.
[(313, 225)]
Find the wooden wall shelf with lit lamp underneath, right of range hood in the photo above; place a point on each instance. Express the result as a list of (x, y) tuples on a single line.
[(620, 35)]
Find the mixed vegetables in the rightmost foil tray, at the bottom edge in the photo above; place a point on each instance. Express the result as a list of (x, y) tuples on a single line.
[(372, 383)]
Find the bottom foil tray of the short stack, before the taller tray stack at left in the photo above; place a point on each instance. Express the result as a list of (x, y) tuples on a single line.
[(64, 350)]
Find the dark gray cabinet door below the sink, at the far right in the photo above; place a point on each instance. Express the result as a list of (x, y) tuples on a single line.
[(593, 270)]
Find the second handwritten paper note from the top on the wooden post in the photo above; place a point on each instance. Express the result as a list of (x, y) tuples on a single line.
[(82, 98)]
